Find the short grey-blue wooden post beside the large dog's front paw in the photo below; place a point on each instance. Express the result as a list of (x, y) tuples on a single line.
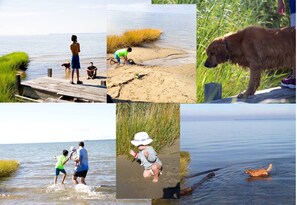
[(212, 91)]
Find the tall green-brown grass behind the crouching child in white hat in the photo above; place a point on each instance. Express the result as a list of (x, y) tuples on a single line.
[(160, 121)]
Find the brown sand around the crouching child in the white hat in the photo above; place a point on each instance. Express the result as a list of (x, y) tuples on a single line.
[(131, 184)]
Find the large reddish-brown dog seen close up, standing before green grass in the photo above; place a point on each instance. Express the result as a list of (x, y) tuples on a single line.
[(256, 48)]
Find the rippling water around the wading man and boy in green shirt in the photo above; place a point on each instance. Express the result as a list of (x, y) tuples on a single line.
[(33, 182)]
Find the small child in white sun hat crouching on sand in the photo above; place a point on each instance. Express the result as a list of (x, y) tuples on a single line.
[(147, 155)]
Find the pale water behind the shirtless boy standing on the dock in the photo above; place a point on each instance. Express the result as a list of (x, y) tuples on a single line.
[(50, 51)]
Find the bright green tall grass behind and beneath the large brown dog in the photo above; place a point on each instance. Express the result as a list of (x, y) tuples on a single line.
[(216, 18)]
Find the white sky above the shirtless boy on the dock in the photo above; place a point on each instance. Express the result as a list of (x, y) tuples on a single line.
[(19, 17)]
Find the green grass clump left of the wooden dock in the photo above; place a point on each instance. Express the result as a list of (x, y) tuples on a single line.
[(9, 64)]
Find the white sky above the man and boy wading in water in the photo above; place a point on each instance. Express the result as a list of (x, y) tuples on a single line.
[(30, 123)]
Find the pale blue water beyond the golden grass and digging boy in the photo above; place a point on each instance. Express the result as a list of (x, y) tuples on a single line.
[(179, 30)]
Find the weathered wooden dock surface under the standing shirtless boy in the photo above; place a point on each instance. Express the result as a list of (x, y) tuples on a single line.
[(64, 88)]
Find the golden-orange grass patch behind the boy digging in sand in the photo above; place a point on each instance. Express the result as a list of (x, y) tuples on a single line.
[(132, 38)]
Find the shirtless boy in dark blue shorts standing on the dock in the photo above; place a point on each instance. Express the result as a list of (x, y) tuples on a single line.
[(75, 64)]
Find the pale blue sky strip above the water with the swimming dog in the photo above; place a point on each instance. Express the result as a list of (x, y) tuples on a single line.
[(227, 111)]
